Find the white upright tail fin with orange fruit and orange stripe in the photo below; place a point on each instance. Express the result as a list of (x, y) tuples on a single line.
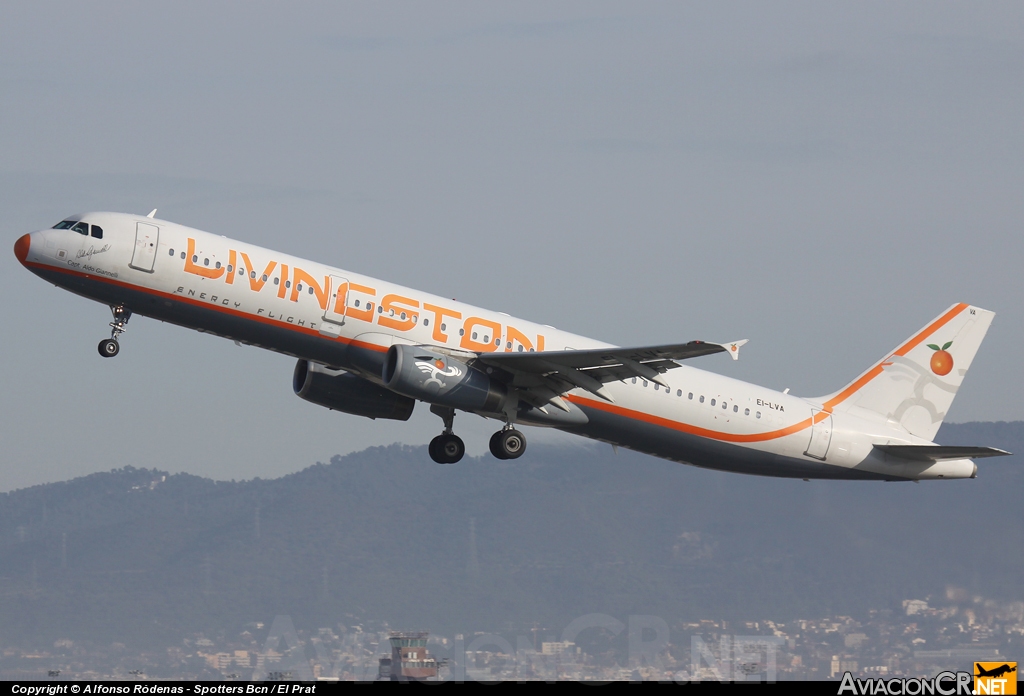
[(916, 383)]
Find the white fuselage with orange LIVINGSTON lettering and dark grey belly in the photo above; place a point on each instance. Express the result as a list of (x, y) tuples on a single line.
[(343, 319)]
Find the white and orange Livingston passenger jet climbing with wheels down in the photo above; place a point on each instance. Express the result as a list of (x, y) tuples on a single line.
[(373, 349)]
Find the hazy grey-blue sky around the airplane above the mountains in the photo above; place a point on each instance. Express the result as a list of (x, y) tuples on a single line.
[(821, 179)]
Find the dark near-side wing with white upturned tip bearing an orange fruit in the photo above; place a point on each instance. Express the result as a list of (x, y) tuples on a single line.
[(549, 374)]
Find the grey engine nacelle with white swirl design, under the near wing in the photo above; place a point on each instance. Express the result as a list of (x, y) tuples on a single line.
[(434, 377)]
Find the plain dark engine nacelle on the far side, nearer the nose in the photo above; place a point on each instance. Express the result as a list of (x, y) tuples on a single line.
[(345, 391)]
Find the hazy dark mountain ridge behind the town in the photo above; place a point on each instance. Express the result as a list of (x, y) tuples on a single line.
[(388, 536)]
